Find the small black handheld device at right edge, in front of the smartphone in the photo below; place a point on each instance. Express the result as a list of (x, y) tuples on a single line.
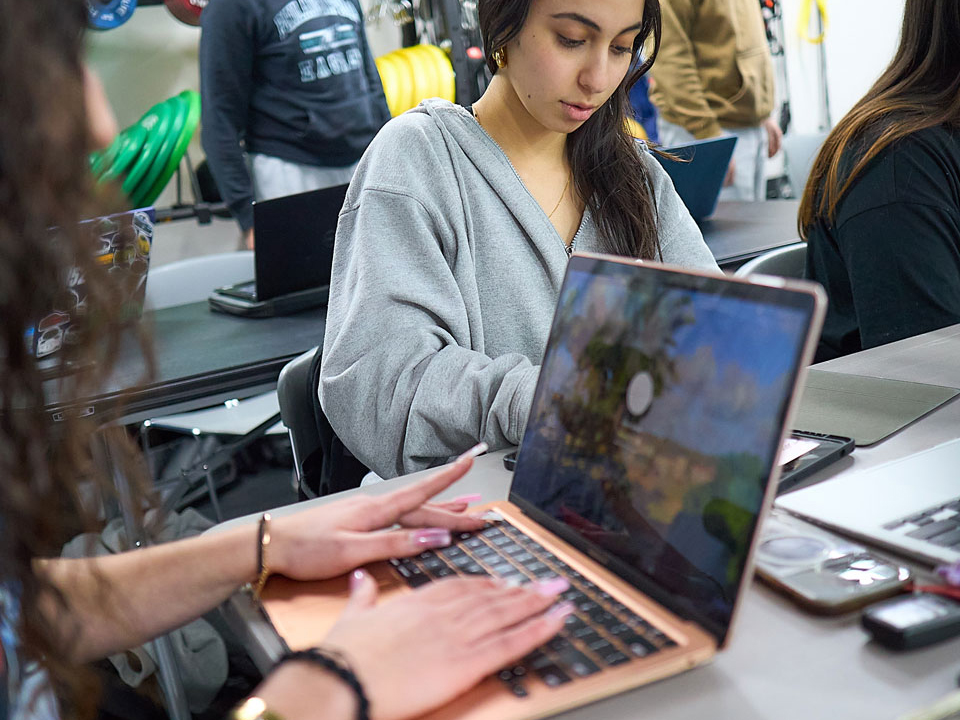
[(913, 621)]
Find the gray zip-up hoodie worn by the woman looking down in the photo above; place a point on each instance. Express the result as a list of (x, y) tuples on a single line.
[(446, 272)]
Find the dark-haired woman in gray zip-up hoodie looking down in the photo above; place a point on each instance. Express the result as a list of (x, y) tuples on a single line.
[(455, 233)]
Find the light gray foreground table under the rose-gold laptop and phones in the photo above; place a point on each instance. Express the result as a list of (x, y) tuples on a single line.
[(781, 663)]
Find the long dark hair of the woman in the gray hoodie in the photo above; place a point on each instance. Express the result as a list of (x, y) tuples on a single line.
[(607, 169)]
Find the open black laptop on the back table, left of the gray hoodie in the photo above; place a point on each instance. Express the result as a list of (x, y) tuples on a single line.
[(293, 255)]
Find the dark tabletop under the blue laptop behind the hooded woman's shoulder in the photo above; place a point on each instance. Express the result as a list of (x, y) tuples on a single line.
[(739, 231)]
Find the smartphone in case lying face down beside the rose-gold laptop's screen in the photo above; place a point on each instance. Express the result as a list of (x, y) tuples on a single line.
[(820, 571)]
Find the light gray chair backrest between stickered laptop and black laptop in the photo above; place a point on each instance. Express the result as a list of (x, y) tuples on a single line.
[(192, 280)]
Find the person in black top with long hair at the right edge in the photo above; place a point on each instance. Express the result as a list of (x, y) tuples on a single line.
[(881, 210)]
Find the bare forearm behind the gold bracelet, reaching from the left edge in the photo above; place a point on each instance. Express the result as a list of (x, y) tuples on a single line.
[(124, 600)]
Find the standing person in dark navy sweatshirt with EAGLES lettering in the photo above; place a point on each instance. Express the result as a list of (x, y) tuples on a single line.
[(292, 84)]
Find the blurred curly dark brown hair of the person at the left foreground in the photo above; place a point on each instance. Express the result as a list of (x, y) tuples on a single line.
[(45, 189)]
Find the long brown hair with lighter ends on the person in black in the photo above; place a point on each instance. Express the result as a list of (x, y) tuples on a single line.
[(919, 90)]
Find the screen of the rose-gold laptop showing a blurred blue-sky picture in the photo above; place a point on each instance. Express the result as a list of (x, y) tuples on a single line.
[(656, 422)]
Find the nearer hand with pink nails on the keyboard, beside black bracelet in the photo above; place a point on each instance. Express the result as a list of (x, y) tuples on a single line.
[(419, 651)]
